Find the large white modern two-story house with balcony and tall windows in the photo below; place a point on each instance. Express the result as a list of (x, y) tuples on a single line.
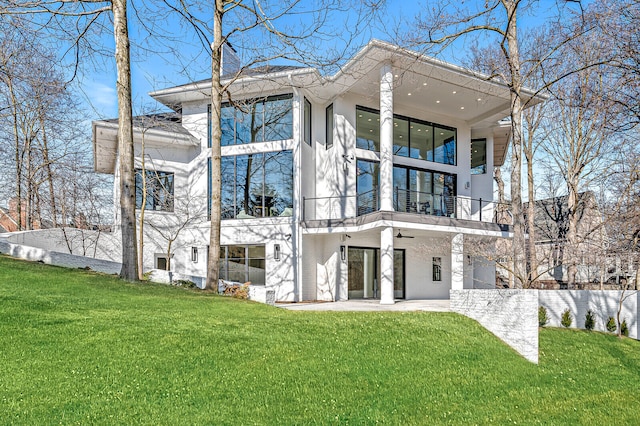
[(363, 184)]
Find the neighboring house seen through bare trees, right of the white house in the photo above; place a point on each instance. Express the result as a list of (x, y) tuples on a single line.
[(554, 253)]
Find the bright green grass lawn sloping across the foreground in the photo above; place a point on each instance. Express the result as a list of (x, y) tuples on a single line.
[(82, 348)]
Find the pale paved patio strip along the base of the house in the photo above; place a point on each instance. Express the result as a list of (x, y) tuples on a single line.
[(370, 305)]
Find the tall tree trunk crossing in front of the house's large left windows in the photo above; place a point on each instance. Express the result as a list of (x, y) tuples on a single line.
[(213, 266)]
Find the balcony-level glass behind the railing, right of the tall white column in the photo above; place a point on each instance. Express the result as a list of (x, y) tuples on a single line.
[(424, 191)]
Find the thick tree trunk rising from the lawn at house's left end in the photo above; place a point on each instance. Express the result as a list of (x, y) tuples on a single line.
[(125, 143)]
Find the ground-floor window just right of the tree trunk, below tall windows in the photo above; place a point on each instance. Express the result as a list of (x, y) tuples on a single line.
[(245, 263)]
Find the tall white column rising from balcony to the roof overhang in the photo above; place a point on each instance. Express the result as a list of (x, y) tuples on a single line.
[(386, 138)]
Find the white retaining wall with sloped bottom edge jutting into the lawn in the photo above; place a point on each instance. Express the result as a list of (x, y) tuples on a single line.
[(512, 315)]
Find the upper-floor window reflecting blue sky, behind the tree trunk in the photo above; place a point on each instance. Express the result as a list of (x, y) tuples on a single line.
[(256, 120)]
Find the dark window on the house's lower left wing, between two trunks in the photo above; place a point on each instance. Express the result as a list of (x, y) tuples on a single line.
[(159, 190)]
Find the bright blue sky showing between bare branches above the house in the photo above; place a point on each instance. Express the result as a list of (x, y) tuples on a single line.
[(157, 70)]
